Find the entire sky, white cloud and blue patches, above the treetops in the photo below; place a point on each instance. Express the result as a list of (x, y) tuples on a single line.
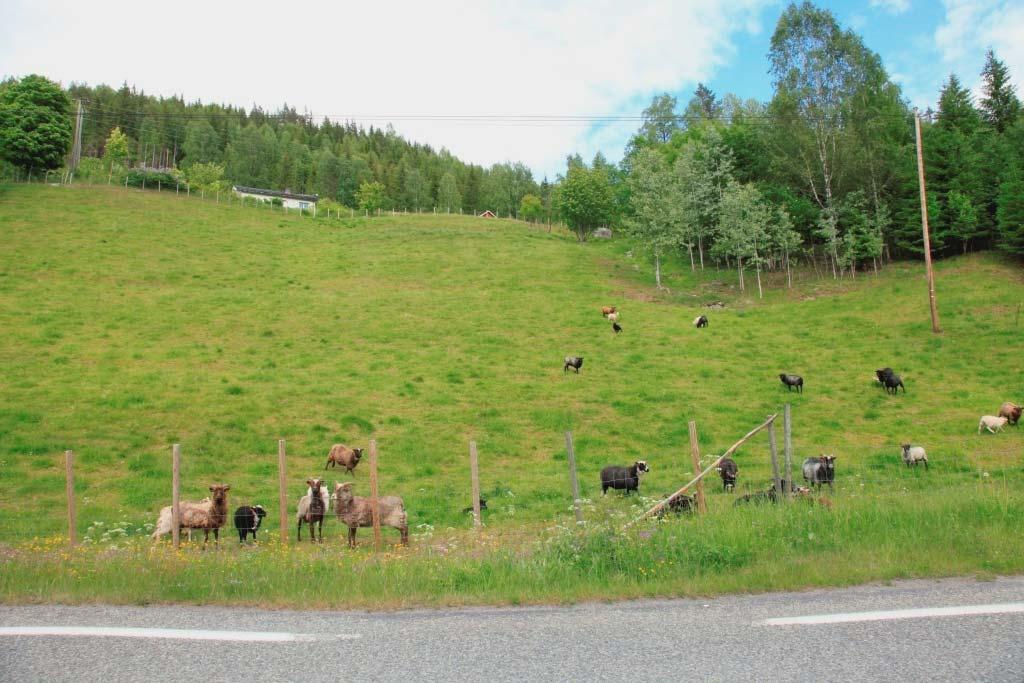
[(531, 76)]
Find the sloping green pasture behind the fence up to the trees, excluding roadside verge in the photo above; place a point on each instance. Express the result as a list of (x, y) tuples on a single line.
[(134, 321)]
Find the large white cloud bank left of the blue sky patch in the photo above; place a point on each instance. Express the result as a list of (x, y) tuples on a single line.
[(389, 59)]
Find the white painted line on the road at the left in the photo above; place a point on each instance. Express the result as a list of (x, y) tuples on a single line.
[(172, 634)]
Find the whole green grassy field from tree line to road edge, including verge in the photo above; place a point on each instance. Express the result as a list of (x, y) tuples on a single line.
[(134, 321)]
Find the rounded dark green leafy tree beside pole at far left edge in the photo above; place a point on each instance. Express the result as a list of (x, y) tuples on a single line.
[(35, 124)]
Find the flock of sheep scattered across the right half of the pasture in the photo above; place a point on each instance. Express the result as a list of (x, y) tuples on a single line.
[(817, 472)]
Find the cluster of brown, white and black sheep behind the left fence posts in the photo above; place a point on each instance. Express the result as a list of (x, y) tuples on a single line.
[(354, 511)]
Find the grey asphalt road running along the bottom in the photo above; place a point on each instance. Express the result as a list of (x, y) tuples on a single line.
[(724, 639)]
